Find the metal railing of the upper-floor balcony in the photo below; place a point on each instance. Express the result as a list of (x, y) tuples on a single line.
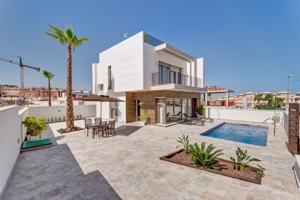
[(176, 78)]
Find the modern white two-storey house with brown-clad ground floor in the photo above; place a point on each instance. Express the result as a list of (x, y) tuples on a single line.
[(150, 76)]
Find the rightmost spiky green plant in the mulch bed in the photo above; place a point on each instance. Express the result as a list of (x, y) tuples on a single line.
[(242, 159)]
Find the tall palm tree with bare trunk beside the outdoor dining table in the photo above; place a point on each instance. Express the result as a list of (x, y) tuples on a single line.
[(69, 38)]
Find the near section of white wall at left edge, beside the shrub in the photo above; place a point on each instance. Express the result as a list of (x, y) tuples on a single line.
[(10, 142)]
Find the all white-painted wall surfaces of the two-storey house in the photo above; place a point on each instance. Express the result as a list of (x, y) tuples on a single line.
[(133, 62)]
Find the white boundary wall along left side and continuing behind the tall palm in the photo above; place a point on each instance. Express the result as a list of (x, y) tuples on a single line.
[(12, 132)]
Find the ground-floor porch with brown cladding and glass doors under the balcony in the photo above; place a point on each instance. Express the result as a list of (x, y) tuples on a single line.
[(162, 106)]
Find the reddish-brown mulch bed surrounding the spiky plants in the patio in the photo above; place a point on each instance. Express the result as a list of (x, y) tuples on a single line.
[(227, 167)]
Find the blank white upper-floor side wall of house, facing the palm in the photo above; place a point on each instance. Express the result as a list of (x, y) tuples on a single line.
[(126, 61)]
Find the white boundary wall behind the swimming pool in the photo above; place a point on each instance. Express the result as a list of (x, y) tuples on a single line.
[(258, 116)]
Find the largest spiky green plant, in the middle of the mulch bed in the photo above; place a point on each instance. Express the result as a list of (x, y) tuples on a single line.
[(205, 156)]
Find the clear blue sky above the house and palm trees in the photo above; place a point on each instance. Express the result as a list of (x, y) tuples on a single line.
[(247, 46)]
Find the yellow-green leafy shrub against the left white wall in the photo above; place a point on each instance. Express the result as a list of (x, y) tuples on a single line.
[(34, 126)]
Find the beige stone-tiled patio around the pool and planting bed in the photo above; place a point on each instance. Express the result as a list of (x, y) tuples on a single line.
[(127, 166)]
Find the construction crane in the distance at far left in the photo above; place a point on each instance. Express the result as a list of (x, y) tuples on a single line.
[(21, 66)]
